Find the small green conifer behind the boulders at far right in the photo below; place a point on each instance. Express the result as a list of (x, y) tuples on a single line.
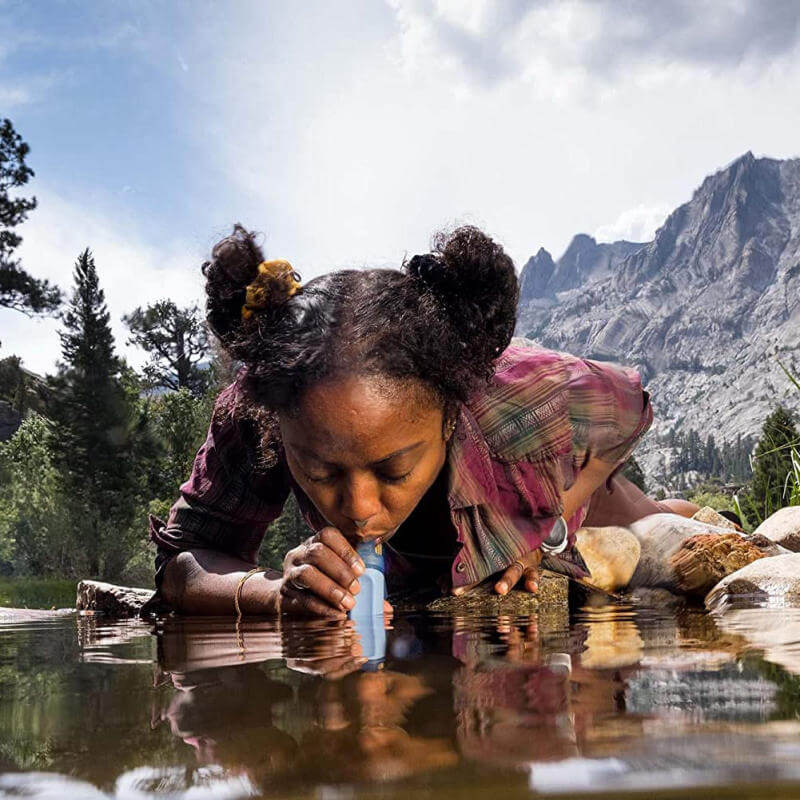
[(772, 463)]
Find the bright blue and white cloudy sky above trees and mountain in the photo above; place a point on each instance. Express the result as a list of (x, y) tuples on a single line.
[(348, 132)]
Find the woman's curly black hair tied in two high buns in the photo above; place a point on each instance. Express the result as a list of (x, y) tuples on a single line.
[(441, 321)]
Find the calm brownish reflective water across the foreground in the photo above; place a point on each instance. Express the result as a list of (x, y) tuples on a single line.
[(614, 700)]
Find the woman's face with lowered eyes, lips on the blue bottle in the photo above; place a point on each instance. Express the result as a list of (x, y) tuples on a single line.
[(366, 449)]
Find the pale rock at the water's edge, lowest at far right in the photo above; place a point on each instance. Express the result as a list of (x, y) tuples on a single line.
[(772, 578)]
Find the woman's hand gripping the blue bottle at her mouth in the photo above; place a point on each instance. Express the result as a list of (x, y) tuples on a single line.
[(320, 576)]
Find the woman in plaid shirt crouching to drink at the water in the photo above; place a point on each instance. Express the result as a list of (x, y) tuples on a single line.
[(390, 403)]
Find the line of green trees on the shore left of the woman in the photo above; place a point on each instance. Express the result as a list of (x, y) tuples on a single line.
[(100, 446)]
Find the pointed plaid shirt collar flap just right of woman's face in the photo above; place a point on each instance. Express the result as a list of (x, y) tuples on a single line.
[(471, 480)]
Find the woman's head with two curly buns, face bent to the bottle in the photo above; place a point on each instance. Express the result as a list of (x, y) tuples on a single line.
[(359, 364)]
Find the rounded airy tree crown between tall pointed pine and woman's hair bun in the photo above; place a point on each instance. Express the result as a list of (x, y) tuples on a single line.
[(176, 340)]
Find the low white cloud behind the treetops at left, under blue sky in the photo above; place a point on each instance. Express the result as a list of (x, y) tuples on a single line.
[(131, 273)]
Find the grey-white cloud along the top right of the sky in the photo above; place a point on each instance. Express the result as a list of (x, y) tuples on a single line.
[(560, 45)]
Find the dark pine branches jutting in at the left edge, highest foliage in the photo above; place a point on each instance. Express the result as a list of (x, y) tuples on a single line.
[(18, 289)]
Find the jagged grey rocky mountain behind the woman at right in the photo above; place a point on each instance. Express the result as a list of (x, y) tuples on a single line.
[(704, 311)]
